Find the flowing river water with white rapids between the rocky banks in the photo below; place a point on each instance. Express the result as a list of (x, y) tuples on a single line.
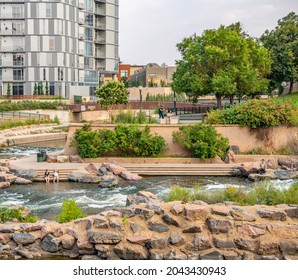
[(45, 201)]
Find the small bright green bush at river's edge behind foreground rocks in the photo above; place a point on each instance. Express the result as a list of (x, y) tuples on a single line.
[(69, 211)]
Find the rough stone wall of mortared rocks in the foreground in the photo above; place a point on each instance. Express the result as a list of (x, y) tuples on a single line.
[(151, 229)]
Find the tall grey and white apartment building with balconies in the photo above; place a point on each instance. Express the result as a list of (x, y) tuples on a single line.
[(67, 44)]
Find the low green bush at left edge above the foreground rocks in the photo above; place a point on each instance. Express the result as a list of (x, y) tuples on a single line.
[(15, 214)]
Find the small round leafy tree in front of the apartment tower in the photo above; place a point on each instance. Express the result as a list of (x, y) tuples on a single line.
[(112, 93)]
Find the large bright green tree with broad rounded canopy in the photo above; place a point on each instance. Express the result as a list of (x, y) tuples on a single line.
[(225, 62)]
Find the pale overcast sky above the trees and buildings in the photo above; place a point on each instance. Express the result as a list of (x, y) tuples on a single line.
[(150, 29)]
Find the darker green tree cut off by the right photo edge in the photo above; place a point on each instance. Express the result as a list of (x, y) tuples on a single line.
[(282, 43)]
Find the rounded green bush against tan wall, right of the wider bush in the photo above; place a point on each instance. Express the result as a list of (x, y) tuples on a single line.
[(202, 140)]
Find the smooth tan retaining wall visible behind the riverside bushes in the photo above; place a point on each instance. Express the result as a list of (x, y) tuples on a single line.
[(243, 137)]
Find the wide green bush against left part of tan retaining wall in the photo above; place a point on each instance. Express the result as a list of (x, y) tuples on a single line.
[(128, 140)]
